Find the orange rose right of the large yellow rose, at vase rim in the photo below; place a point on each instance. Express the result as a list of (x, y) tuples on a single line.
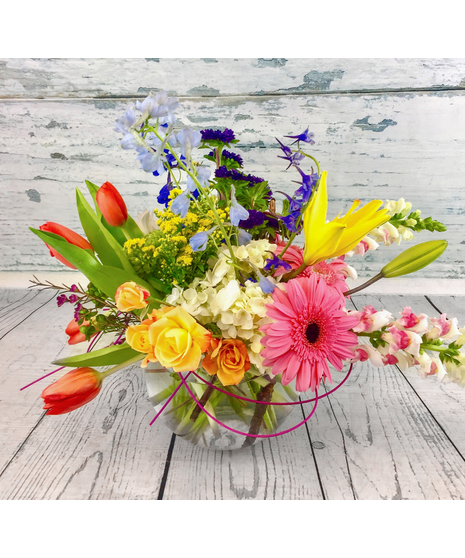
[(228, 359)]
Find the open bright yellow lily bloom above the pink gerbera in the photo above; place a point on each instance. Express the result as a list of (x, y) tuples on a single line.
[(330, 240)]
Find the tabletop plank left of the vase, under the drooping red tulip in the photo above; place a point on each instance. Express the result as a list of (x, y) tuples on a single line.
[(104, 451)]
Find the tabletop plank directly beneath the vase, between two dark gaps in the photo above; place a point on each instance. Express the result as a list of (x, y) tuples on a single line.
[(282, 468)]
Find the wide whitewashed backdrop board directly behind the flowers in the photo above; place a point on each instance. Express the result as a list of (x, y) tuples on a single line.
[(407, 145)]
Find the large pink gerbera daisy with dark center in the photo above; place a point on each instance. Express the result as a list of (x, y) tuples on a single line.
[(310, 328)]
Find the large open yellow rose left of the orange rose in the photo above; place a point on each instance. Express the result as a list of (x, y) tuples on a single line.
[(179, 340)]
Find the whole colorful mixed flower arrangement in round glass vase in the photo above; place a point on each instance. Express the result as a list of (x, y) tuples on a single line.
[(209, 292)]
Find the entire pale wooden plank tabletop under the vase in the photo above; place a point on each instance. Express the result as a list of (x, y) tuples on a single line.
[(384, 435)]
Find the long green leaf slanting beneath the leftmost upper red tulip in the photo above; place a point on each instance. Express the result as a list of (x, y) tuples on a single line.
[(105, 278)]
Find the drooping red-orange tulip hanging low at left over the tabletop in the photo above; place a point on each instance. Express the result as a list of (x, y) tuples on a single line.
[(73, 390)]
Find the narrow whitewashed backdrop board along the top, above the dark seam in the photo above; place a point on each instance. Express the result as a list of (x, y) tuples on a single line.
[(196, 77)]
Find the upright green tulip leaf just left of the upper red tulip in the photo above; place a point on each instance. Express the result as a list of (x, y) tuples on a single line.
[(107, 248)]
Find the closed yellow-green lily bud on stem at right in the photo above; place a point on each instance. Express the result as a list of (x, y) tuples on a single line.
[(414, 258)]
